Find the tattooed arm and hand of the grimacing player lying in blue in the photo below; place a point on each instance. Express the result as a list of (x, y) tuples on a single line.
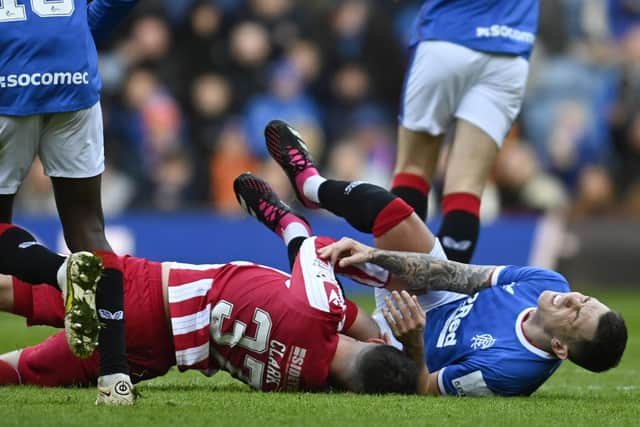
[(421, 272)]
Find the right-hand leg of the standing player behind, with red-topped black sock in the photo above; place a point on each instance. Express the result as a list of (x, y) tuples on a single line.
[(470, 162)]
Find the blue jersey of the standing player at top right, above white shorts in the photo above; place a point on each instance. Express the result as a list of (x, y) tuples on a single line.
[(495, 26)]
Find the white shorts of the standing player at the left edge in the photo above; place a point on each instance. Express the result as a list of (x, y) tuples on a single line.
[(70, 145)]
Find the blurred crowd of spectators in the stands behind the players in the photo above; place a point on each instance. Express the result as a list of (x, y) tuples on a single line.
[(189, 86)]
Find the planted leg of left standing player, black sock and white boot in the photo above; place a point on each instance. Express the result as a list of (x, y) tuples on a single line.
[(80, 209)]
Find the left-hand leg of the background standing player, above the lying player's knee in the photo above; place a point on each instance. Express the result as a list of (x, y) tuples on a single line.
[(416, 162)]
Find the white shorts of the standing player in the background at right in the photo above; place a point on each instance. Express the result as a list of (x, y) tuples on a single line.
[(446, 81)]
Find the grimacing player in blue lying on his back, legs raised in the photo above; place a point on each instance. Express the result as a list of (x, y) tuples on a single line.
[(490, 329)]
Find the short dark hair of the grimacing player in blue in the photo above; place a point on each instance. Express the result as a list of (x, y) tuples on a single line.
[(605, 349)]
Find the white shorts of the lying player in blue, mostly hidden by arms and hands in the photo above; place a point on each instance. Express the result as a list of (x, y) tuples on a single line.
[(428, 301)]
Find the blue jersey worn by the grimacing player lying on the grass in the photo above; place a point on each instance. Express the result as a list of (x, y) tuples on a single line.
[(477, 343)]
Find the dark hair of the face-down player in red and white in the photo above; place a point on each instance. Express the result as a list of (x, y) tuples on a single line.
[(385, 369)]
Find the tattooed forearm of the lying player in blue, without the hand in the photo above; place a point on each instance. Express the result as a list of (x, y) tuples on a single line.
[(425, 272)]
